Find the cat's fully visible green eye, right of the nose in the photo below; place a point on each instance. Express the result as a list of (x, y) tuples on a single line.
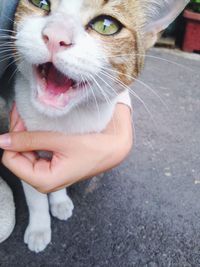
[(106, 25)]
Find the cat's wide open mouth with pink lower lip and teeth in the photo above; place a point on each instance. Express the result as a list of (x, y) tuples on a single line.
[(54, 88)]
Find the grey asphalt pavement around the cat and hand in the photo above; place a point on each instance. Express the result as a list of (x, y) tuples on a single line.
[(146, 212)]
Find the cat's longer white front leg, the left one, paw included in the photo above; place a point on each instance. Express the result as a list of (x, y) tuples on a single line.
[(38, 233)]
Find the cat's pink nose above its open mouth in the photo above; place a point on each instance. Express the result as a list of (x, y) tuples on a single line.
[(57, 38)]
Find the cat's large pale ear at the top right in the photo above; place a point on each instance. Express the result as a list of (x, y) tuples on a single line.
[(159, 14)]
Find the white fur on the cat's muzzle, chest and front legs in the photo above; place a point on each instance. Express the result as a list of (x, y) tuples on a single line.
[(89, 112)]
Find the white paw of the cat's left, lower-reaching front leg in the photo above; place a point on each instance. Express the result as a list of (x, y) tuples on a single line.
[(37, 240)]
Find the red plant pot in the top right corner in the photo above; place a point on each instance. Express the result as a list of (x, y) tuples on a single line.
[(191, 41)]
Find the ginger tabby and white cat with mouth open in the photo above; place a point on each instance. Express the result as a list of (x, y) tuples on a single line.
[(74, 57)]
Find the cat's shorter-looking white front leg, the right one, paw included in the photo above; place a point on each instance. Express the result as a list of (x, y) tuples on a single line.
[(61, 205)]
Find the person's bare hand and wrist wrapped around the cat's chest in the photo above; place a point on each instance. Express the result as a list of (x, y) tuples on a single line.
[(75, 157)]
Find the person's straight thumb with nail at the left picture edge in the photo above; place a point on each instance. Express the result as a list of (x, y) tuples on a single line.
[(32, 141)]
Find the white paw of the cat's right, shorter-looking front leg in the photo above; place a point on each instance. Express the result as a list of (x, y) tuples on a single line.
[(62, 210)]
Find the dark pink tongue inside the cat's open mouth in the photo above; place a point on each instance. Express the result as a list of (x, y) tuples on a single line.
[(57, 83)]
